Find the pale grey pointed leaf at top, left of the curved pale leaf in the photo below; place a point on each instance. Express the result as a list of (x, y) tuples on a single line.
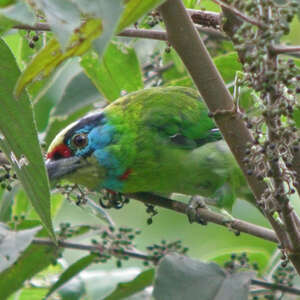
[(63, 17)]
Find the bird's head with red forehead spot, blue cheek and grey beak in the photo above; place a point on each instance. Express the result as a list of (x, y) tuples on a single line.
[(71, 154)]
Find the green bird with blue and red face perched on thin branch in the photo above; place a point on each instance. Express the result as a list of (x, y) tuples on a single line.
[(158, 140)]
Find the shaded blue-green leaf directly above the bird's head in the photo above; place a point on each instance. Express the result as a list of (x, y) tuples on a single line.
[(78, 93)]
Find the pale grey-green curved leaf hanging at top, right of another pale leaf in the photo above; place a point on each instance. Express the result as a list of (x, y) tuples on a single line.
[(109, 12)]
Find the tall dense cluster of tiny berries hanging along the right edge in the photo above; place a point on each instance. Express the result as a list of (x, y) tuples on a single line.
[(275, 85)]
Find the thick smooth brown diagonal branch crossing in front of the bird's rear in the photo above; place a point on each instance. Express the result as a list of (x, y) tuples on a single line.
[(210, 84)]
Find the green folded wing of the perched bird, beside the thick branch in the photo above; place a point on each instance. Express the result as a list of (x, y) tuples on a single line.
[(181, 117)]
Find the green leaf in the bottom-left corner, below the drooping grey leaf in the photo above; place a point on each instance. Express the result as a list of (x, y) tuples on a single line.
[(34, 259)]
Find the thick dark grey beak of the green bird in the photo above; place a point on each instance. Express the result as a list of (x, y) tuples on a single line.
[(62, 167)]
